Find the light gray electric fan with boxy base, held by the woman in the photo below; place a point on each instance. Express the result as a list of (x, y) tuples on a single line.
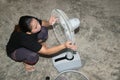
[(64, 31)]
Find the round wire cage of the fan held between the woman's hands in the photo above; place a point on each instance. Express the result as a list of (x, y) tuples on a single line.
[(64, 24)]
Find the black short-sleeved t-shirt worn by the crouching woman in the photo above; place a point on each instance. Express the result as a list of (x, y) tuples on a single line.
[(20, 39)]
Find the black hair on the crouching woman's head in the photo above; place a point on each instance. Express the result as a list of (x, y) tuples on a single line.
[(24, 23)]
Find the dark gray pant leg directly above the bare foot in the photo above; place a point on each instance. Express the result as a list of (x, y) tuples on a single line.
[(25, 55)]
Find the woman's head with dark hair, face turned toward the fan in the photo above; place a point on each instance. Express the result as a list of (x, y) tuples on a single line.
[(29, 24)]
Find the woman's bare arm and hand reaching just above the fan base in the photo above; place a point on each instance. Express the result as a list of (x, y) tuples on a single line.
[(55, 49)]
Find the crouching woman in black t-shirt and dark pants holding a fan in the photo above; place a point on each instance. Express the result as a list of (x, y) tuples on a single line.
[(26, 41)]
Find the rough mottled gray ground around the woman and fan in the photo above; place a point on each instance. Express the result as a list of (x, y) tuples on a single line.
[(98, 38)]
